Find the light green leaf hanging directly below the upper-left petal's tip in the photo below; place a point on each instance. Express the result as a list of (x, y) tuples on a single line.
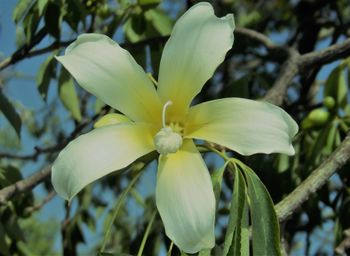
[(68, 95)]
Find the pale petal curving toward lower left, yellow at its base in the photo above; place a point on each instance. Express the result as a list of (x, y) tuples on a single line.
[(98, 153)]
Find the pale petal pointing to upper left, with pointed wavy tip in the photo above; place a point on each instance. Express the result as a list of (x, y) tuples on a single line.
[(110, 73)]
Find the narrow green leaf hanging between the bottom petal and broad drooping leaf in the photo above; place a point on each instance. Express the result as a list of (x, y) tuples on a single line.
[(238, 222)]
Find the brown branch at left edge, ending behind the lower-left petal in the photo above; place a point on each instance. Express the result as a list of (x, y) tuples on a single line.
[(24, 185)]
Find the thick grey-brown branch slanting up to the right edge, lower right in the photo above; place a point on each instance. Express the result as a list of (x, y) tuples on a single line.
[(316, 180)]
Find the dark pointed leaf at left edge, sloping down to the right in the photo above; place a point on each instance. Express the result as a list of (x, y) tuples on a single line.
[(10, 113)]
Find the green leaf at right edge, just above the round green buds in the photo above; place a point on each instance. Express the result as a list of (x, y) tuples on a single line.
[(336, 86)]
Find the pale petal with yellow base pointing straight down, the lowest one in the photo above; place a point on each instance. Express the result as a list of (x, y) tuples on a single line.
[(185, 199)]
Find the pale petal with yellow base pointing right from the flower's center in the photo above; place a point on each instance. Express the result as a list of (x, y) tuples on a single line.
[(245, 126)]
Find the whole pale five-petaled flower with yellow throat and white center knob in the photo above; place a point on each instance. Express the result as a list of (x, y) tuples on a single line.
[(162, 119)]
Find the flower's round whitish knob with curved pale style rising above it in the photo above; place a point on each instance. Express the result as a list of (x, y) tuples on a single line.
[(168, 140)]
